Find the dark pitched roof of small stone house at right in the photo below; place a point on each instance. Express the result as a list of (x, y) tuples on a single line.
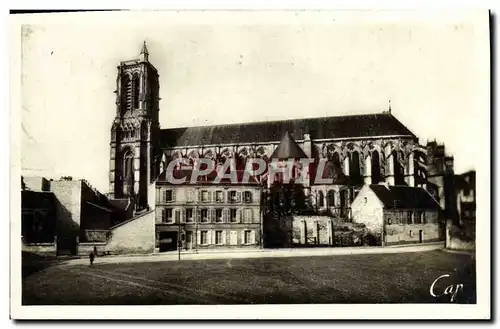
[(404, 197)]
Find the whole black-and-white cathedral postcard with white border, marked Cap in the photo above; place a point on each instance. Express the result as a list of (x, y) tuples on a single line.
[(189, 164)]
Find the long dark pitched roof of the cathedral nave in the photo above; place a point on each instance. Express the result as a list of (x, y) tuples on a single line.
[(381, 124)]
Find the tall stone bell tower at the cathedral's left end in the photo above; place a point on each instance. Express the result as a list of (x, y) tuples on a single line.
[(135, 130)]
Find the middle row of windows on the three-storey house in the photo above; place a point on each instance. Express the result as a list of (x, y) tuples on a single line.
[(206, 215)]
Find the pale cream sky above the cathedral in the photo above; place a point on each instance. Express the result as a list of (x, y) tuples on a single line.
[(231, 67)]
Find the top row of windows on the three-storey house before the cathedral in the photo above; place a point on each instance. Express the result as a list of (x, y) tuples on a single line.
[(207, 196)]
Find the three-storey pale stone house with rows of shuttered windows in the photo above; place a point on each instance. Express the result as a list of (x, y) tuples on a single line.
[(207, 216)]
